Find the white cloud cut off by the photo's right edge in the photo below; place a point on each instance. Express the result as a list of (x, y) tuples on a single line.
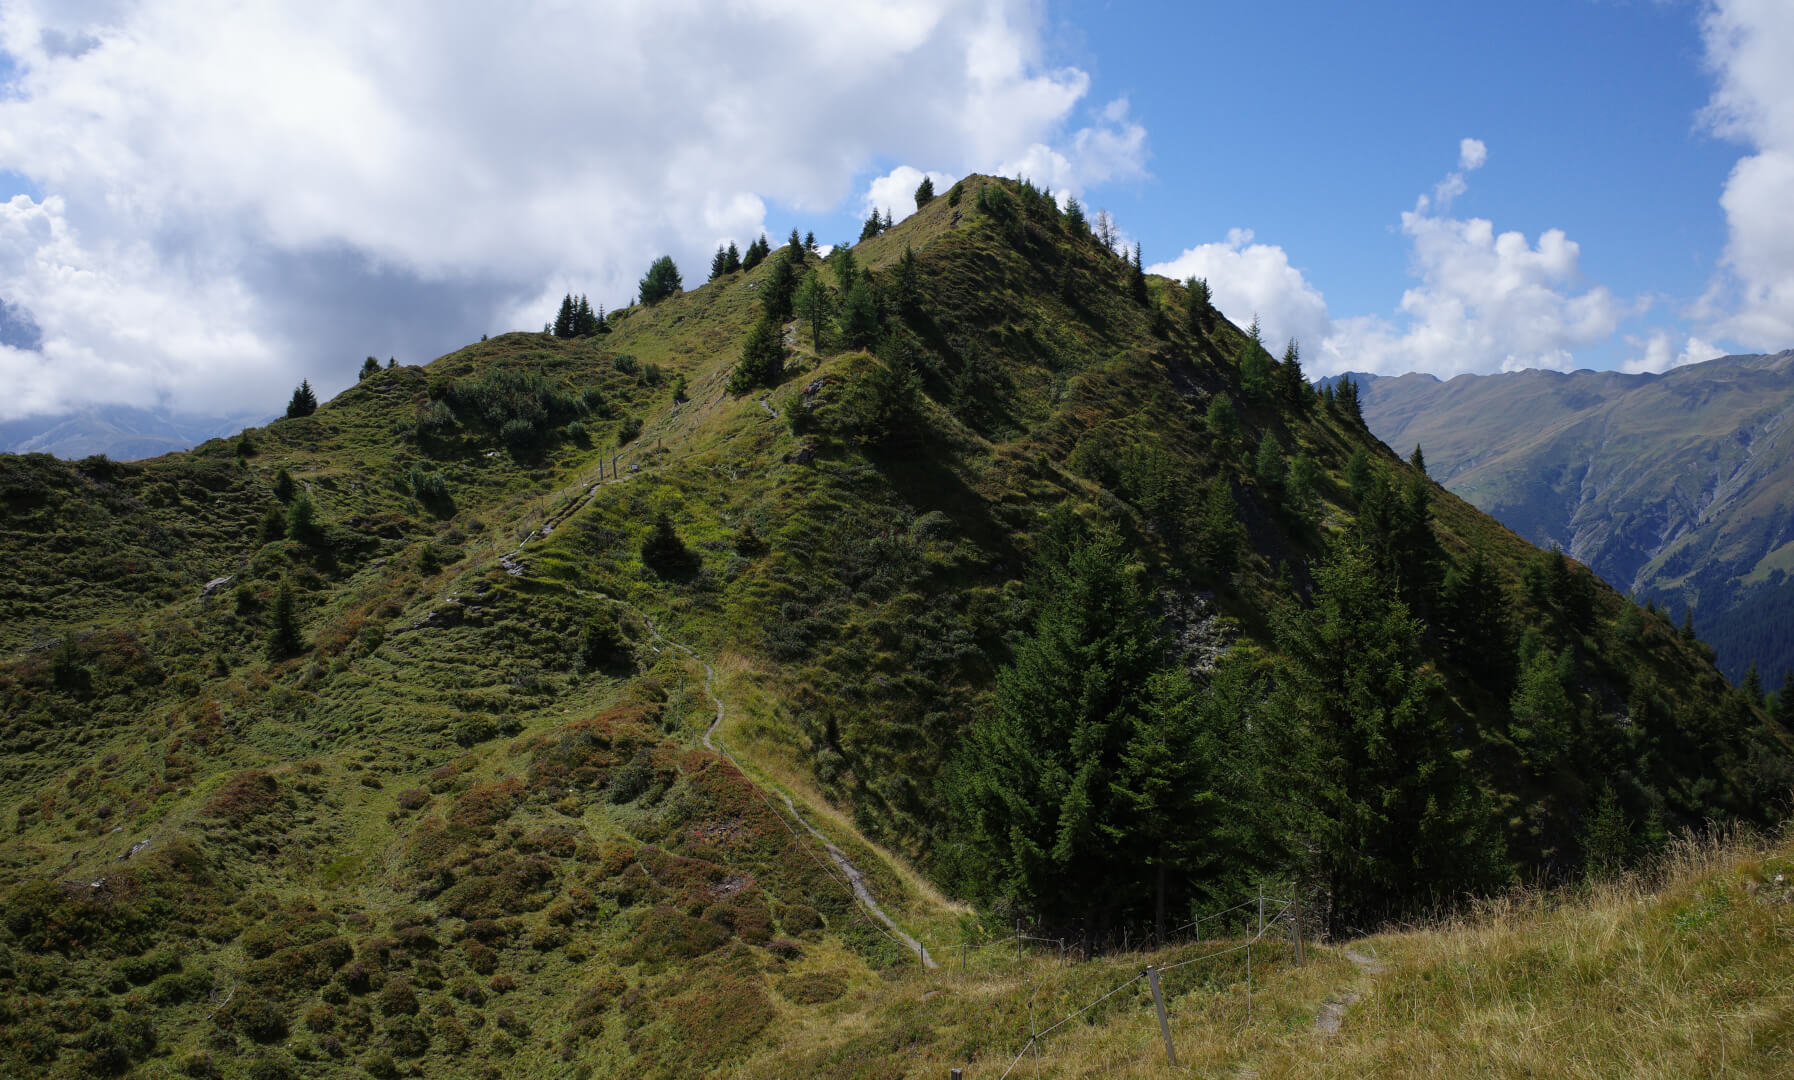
[(1748, 48)]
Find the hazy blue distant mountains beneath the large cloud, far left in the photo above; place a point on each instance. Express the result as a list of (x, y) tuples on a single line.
[(119, 433)]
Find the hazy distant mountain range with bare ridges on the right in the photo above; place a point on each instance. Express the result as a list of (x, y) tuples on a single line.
[(1675, 487)]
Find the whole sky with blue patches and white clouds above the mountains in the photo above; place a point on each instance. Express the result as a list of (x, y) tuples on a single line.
[(209, 205)]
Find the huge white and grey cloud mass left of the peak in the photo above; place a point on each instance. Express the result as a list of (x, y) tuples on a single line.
[(234, 196)]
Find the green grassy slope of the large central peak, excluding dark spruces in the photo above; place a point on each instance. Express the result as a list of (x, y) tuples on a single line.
[(473, 828)]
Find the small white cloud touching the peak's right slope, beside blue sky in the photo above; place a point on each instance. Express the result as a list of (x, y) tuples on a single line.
[(1248, 281)]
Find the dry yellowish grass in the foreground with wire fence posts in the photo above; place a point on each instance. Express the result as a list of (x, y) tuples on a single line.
[(1684, 973)]
